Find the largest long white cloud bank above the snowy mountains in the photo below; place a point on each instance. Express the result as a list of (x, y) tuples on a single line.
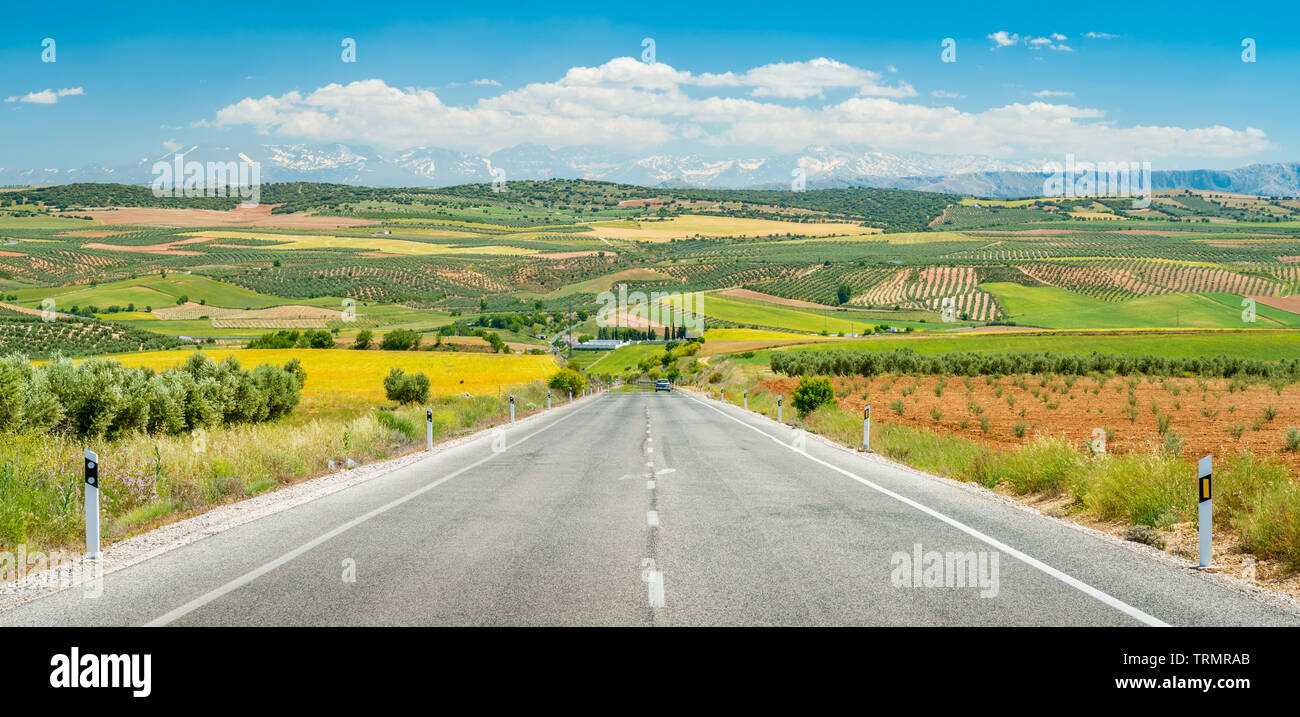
[(630, 105)]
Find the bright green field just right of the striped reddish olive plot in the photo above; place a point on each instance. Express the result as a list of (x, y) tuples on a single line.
[(1056, 308)]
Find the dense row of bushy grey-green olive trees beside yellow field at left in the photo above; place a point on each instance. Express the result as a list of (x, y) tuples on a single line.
[(105, 398)]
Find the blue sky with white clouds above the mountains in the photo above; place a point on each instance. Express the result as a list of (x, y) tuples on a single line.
[(1167, 84)]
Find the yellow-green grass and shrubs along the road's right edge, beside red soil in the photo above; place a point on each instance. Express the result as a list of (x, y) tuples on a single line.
[(1258, 497)]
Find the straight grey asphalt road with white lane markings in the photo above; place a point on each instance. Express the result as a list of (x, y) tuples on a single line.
[(652, 510)]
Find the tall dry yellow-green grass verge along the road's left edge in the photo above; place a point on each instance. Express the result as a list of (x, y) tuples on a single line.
[(149, 479)]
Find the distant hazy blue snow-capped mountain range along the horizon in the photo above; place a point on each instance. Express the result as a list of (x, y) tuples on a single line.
[(824, 168)]
